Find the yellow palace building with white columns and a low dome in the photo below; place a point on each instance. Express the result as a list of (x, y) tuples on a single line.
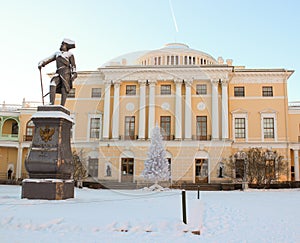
[(208, 110)]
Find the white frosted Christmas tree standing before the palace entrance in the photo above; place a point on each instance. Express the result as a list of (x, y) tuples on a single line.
[(157, 165)]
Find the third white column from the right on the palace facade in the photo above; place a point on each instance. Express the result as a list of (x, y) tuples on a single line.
[(188, 111)]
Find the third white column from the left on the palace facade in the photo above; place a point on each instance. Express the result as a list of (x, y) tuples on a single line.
[(142, 111)]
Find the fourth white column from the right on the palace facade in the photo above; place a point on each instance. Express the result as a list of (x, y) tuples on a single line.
[(178, 110)]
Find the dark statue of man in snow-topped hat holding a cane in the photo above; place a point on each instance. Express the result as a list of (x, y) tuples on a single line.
[(61, 82)]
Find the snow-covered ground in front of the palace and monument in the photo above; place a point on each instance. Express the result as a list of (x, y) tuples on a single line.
[(144, 216)]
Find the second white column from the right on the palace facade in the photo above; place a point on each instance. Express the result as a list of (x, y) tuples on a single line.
[(215, 109)]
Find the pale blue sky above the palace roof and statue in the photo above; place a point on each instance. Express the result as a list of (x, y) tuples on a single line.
[(254, 33)]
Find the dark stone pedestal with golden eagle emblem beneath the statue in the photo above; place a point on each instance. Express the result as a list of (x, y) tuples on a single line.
[(50, 162)]
